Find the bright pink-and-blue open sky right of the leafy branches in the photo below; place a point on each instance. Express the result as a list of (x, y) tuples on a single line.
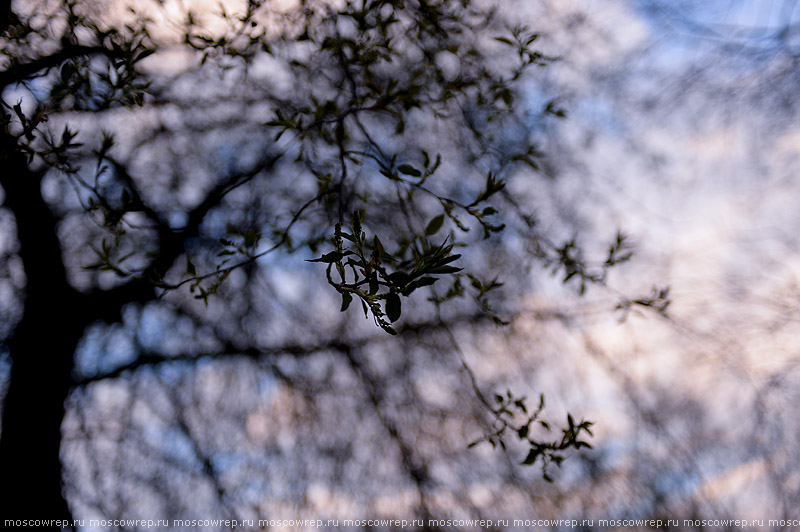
[(685, 121)]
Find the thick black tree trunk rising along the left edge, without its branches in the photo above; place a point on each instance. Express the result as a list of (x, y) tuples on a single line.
[(42, 349)]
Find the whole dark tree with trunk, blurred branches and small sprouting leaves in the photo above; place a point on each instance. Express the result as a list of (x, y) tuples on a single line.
[(169, 167)]
